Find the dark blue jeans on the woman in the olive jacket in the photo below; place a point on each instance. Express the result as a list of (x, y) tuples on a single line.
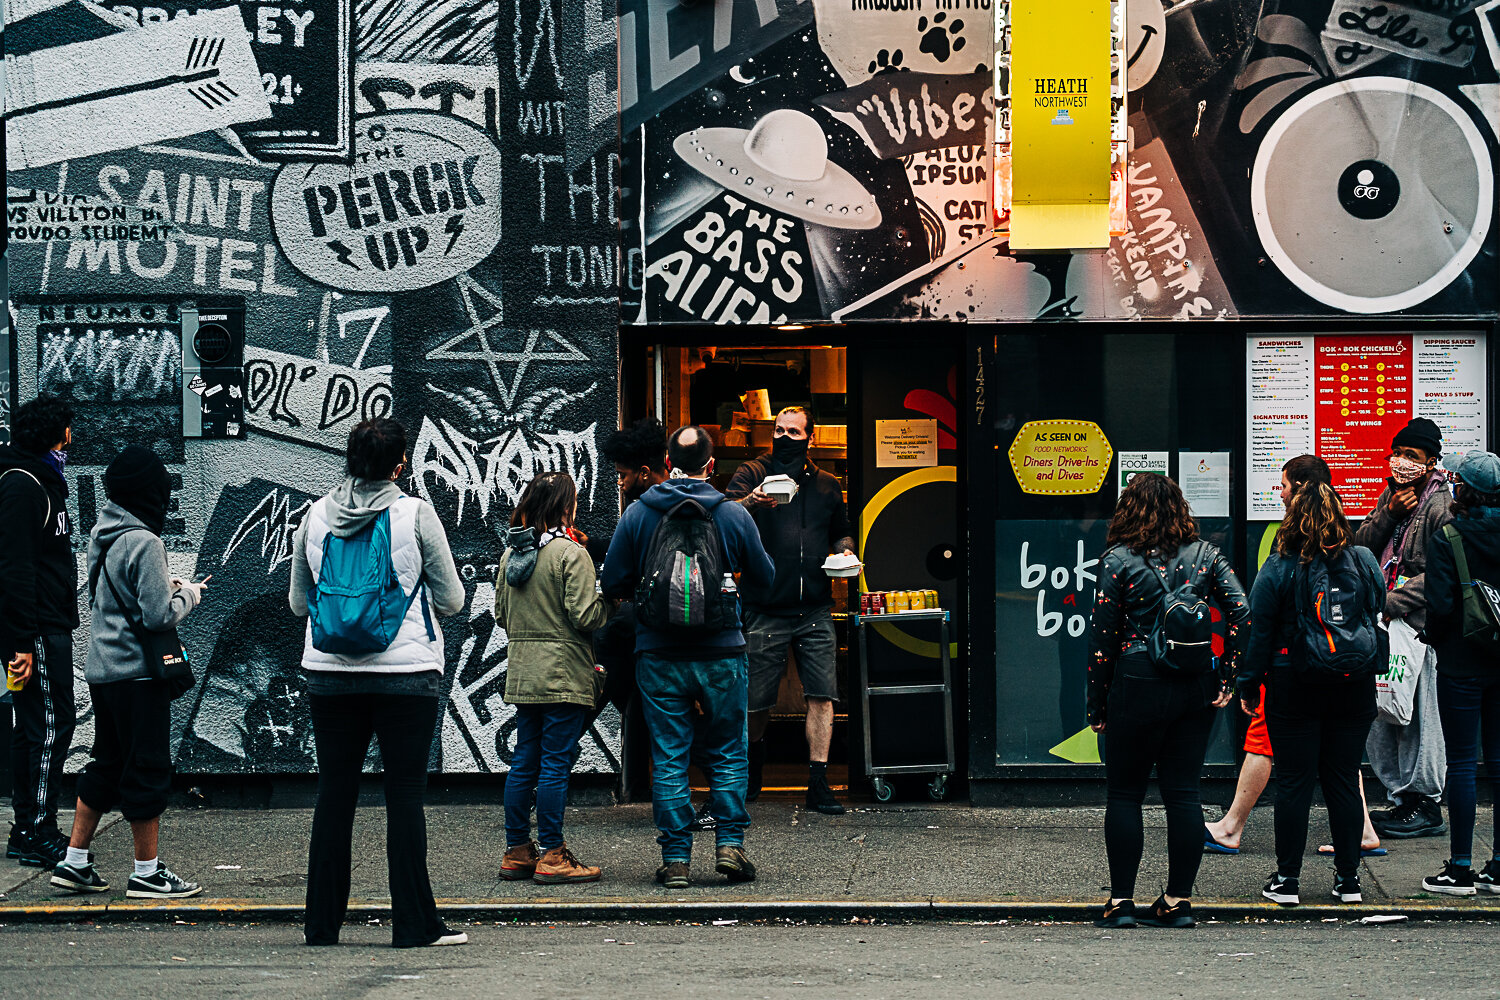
[(547, 737)]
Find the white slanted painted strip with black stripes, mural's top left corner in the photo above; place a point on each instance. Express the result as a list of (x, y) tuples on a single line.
[(164, 82)]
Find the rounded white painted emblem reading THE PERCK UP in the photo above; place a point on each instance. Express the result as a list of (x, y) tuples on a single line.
[(419, 206)]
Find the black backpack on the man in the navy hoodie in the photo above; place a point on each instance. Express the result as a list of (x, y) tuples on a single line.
[(682, 587)]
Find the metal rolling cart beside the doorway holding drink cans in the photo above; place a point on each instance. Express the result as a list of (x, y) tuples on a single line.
[(910, 750)]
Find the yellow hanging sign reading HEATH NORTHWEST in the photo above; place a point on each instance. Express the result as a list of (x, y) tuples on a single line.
[(1061, 124)]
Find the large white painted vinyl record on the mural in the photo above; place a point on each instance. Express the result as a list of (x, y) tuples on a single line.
[(1375, 194)]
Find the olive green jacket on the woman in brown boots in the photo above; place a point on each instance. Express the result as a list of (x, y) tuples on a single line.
[(548, 620)]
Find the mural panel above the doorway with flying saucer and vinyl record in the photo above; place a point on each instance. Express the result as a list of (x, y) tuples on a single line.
[(829, 160)]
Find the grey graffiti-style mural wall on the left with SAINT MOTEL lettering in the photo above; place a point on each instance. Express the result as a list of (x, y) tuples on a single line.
[(386, 190)]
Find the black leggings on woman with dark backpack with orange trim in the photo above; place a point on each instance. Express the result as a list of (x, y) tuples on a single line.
[(1318, 734)]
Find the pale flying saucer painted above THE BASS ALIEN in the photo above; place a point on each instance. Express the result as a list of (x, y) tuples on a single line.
[(782, 164)]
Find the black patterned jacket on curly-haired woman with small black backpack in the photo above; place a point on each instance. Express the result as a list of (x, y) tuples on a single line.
[(1132, 587)]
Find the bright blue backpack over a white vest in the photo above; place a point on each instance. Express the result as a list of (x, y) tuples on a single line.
[(358, 605)]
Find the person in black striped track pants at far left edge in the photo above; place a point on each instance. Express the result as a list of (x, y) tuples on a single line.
[(38, 617)]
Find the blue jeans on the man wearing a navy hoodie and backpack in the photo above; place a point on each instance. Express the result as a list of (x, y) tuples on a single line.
[(668, 692)]
